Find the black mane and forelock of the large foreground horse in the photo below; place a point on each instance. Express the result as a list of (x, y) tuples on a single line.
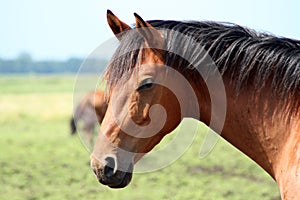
[(247, 56)]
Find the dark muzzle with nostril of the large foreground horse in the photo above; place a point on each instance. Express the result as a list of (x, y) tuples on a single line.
[(108, 173)]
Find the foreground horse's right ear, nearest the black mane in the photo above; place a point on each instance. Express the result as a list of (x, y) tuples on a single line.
[(154, 38)]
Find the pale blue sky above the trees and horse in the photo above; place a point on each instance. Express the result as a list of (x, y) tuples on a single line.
[(60, 29)]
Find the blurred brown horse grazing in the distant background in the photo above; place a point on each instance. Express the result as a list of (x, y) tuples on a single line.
[(90, 111)]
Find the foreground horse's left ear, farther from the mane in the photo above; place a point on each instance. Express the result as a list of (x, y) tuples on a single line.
[(116, 25)]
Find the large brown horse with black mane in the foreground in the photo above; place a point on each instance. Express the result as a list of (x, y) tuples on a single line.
[(259, 72)]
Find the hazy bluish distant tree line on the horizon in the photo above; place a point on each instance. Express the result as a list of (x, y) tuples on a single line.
[(25, 64)]
